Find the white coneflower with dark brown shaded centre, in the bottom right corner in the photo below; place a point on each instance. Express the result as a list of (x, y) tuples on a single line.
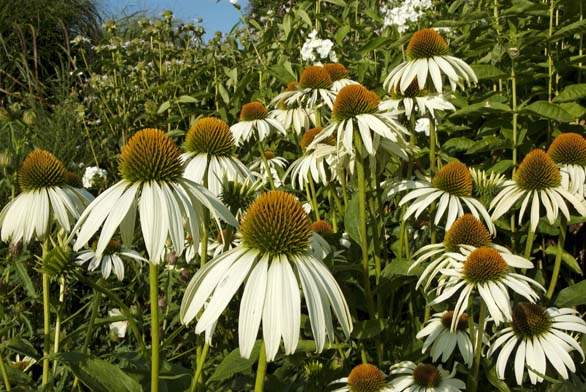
[(539, 336)]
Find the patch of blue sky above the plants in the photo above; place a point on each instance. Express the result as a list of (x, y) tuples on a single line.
[(218, 15)]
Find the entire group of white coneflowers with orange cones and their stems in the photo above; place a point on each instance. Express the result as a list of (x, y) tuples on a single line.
[(265, 241)]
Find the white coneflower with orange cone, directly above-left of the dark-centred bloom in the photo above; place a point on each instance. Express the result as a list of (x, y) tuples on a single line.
[(484, 270)]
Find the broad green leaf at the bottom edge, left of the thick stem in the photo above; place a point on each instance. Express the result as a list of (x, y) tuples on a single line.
[(97, 374)]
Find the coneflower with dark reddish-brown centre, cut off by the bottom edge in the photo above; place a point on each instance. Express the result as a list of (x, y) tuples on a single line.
[(424, 378)]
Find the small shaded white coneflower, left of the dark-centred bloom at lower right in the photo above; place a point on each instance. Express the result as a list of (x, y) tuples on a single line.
[(442, 340)]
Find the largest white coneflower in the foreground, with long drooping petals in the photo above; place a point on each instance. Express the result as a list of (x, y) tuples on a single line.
[(274, 258)]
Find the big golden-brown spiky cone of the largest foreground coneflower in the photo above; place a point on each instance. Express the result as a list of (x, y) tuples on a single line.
[(276, 223)]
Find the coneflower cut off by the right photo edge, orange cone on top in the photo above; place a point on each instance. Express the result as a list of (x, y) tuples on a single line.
[(568, 151)]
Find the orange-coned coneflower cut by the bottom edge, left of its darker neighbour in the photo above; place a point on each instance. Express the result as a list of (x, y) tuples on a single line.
[(364, 378)]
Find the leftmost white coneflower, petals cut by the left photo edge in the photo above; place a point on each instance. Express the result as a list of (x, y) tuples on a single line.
[(45, 197)]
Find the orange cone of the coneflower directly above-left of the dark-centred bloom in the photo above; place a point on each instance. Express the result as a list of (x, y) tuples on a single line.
[(484, 265)]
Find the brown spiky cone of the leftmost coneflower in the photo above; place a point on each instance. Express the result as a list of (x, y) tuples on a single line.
[(41, 169)]
